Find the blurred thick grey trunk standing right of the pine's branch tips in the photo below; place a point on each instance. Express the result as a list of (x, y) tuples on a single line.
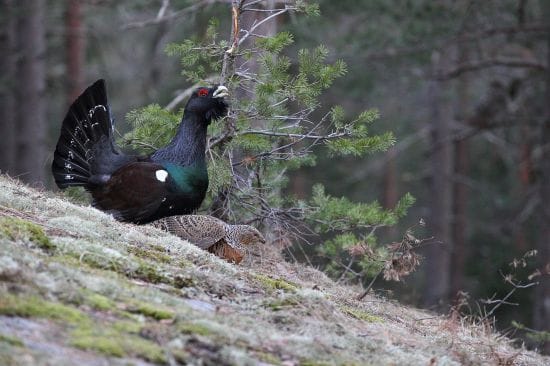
[(438, 256)]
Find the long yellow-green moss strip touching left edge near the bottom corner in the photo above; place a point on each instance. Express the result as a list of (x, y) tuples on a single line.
[(32, 306)]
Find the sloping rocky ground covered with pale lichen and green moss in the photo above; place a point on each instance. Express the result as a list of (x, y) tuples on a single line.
[(79, 288)]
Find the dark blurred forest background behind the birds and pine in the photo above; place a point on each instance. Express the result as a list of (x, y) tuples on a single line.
[(463, 85)]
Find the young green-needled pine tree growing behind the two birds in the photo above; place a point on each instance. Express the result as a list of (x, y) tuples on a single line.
[(276, 124)]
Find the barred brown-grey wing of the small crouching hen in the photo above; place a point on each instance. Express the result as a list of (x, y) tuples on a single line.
[(203, 231)]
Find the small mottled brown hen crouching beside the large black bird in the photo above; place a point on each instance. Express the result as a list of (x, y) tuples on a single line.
[(212, 234)]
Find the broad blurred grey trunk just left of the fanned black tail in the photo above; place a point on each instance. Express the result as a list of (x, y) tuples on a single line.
[(31, 107)]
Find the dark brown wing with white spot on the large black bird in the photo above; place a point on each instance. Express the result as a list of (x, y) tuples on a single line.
[(133, 192)]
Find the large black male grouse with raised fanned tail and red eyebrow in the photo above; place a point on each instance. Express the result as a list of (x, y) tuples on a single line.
[(171, 181)]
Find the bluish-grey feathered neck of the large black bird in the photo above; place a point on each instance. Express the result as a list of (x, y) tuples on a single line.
[(188, 145)]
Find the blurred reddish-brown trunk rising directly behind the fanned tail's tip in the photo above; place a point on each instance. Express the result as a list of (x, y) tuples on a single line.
[(75, 50)]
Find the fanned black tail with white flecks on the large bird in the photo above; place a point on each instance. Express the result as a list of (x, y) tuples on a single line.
[(87, 123)]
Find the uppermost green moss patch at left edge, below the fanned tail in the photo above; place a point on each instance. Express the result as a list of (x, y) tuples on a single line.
[(15, 228)]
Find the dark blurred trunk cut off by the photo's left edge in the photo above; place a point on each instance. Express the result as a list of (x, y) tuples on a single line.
[(7, 82)]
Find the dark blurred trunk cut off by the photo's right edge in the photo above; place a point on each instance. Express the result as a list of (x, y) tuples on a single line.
[(542, 291)]
